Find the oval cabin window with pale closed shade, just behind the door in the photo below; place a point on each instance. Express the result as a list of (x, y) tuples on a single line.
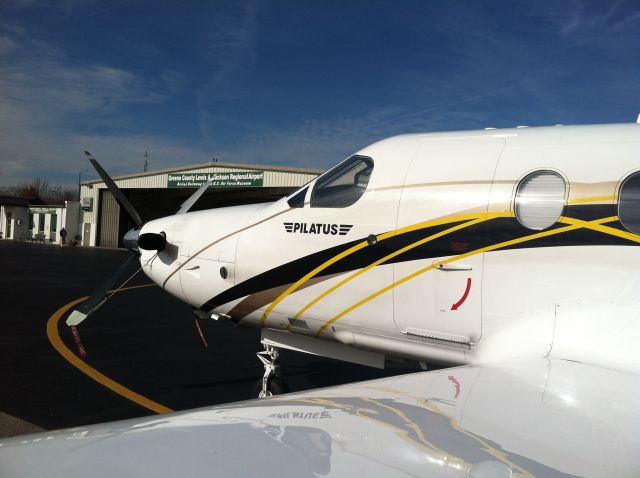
[(540, 199)]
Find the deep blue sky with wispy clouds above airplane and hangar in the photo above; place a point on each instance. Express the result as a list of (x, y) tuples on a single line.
[(300, 83)]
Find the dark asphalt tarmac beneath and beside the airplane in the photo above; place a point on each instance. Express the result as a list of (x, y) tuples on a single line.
[(142, 339)]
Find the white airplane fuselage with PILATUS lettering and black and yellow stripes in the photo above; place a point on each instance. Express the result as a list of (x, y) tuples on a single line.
[(462, 247)]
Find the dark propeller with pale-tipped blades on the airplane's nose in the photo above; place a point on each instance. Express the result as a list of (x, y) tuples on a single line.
[(132, 240)]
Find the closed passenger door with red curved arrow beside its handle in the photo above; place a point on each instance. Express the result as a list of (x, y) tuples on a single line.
[(443, 205)]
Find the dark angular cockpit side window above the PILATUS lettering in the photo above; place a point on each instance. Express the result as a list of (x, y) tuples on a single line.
[(343, 185)]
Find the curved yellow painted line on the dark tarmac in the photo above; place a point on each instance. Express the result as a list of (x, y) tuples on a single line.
[(73, 359)]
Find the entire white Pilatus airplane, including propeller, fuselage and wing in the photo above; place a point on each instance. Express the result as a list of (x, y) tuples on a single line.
[(509, 255)]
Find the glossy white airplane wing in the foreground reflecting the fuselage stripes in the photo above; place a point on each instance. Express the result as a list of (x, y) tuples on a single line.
[(542, 417)]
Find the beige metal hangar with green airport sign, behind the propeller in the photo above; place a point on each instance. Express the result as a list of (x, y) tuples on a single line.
[(159, 193)]
